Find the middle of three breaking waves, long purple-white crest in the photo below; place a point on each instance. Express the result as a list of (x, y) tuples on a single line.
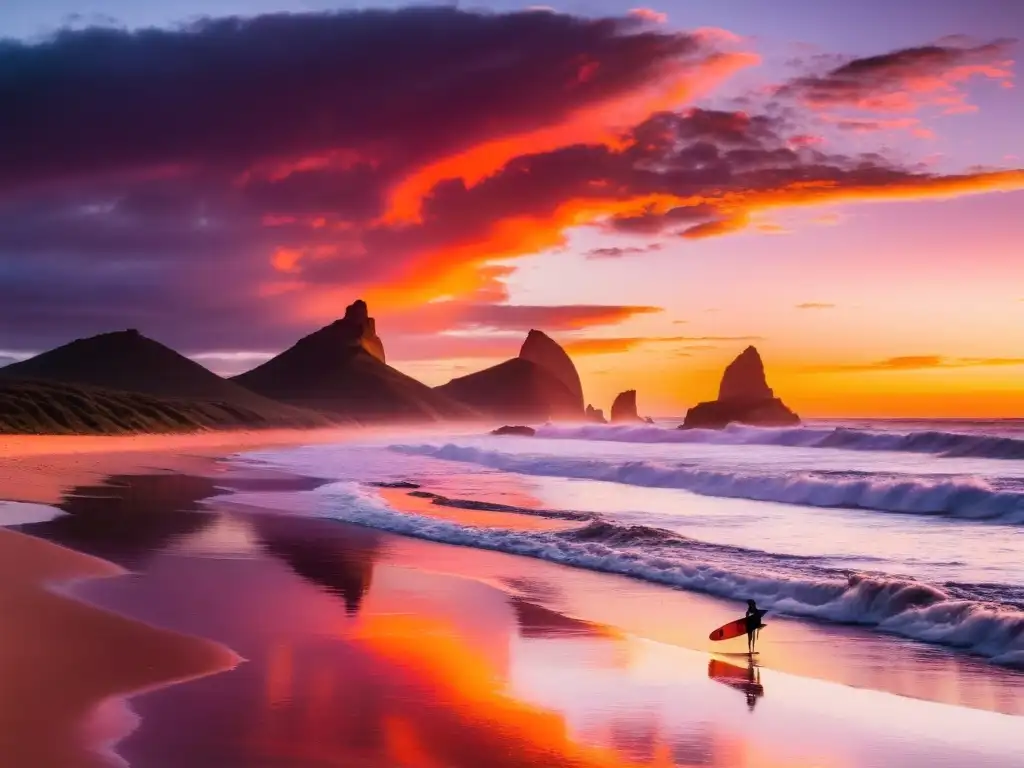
[(961, 497)]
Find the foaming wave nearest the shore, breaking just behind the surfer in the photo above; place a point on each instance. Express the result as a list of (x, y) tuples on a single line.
[(948, 616)]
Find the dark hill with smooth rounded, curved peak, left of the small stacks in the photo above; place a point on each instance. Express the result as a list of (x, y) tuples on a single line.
[(531, 388)]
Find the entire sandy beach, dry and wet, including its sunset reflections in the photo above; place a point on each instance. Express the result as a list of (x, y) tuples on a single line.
[(364, 649)]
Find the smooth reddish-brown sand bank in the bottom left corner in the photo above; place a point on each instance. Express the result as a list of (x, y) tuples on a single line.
[(65, 666)]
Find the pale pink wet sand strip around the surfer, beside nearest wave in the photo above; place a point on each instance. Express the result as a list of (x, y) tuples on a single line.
[(849, 656)]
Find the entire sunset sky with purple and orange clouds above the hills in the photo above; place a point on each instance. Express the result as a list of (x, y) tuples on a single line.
[(840, 185)]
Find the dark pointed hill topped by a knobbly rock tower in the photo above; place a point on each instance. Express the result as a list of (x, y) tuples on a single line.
[(342, 370)]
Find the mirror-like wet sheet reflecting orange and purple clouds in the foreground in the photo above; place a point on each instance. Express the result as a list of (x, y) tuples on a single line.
[(355, 659)]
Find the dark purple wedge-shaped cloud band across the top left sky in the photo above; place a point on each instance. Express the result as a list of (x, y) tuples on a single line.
[(229, 94)]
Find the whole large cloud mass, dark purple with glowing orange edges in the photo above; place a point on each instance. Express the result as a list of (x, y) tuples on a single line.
[(209, 185)]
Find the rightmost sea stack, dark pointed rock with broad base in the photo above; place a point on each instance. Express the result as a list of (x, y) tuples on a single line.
[(745, 398)]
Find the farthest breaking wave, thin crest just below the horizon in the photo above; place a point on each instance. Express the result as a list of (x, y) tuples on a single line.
[(936, 443)]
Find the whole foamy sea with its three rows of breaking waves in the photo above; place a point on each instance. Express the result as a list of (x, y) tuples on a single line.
[(914, 529)]
